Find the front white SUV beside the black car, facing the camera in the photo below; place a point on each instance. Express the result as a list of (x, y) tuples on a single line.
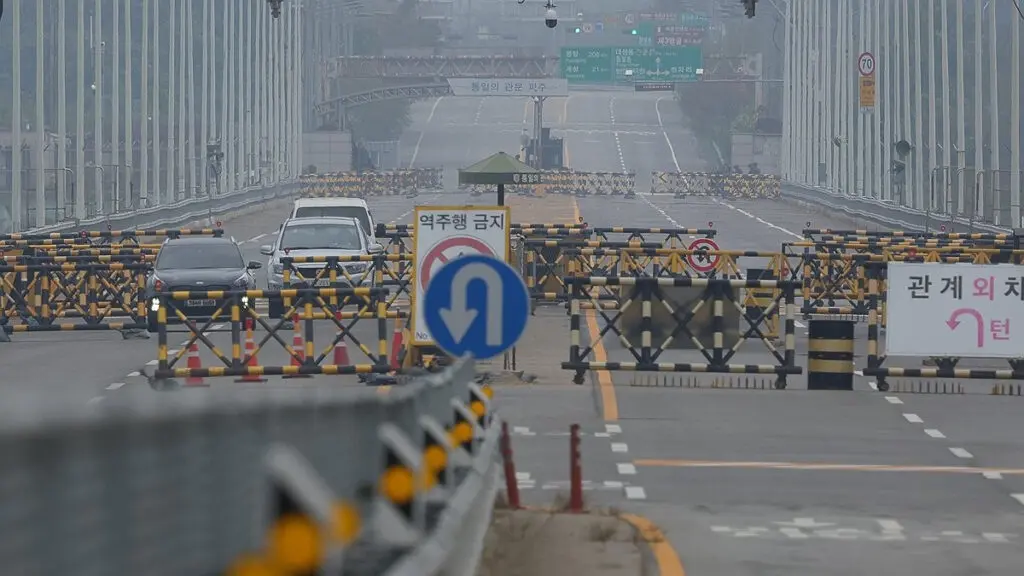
[(319, 237)]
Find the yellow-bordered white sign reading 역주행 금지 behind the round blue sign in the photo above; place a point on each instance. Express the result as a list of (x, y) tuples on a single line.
[(445, 233)]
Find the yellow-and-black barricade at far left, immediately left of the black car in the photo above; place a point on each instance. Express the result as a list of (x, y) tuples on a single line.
[(35, 298)]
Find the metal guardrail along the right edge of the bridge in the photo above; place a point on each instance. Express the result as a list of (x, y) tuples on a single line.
[(900, 218)]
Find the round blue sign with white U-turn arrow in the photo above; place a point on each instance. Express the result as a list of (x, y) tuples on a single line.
[(478, 306)]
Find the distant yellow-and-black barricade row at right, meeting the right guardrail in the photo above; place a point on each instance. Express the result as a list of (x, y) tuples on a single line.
[(737, 187)]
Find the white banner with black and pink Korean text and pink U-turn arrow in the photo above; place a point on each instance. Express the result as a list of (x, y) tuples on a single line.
[(957, 310)]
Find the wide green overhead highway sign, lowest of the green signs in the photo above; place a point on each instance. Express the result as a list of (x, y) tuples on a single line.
[(659, 64)]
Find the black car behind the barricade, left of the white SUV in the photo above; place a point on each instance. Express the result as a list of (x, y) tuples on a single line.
[(198, 264)]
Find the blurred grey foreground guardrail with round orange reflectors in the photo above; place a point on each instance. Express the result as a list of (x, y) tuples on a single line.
[(173, 484)]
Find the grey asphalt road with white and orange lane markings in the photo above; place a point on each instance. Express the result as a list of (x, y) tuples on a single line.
[(742, 482)]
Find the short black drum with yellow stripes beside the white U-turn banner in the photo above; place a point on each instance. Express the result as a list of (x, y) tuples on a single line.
[(830, 355)]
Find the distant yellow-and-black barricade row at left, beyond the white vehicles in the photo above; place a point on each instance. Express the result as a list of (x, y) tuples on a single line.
[(362, 185)]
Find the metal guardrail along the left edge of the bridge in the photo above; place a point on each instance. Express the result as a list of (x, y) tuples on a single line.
[(179, 214)]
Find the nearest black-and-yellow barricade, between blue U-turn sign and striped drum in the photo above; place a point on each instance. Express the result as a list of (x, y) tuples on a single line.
[(702, 321)]
